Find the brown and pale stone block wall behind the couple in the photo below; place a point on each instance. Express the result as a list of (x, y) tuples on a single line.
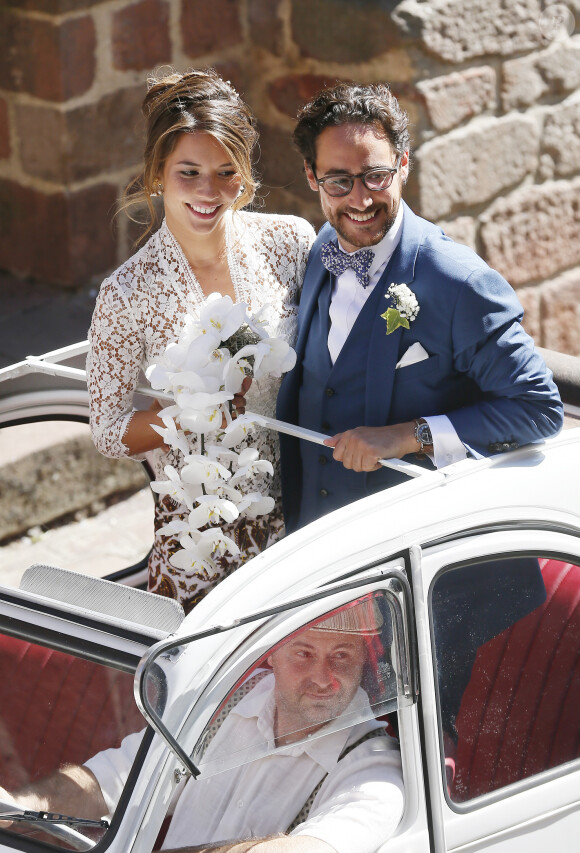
[(492, 88)]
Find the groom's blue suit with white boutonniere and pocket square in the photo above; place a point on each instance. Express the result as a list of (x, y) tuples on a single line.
[(482, 371)]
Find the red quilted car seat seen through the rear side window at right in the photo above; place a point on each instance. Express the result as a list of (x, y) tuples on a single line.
[(519, 714)]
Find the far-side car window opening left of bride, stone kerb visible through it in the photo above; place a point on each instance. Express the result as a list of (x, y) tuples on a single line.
[(64, 504)]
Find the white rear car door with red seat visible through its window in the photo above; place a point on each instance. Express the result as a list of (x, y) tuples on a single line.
[(503, 744)]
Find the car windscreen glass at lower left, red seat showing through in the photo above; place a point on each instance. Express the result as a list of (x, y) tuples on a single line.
[(58, 710)]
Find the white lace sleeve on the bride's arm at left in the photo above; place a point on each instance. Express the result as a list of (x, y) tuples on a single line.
[(116, 347)]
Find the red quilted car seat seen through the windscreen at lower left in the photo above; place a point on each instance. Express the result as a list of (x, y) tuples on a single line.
[(57, 709)]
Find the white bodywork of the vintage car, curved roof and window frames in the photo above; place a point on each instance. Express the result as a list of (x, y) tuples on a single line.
[(526, 501)]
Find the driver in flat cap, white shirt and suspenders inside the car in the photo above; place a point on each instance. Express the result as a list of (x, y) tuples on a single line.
[(338, 792)]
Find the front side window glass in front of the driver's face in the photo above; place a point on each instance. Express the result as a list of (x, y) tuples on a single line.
[(328, 675)]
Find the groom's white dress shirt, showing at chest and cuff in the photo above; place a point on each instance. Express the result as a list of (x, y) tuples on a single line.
[(346, 302)]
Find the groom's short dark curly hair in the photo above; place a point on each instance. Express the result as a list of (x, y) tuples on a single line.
[(349, 103)]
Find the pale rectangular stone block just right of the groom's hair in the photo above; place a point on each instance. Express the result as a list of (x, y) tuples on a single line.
[(456, 97)]
